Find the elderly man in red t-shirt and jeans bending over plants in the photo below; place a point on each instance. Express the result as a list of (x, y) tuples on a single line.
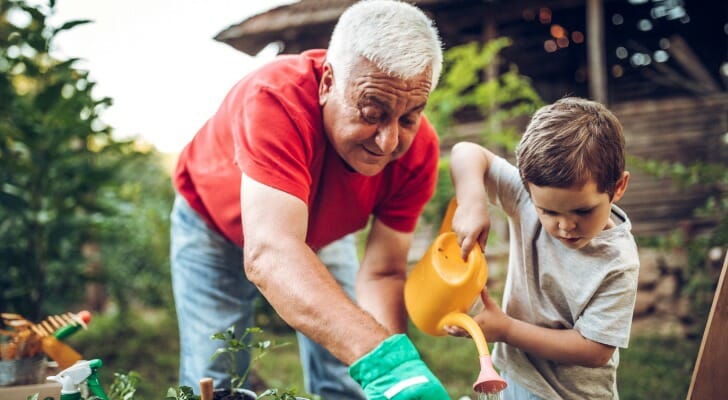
[(301, 154)]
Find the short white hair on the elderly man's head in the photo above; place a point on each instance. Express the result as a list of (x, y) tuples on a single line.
[(396, 36)]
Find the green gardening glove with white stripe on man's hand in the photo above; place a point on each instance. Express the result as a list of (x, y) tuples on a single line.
[(395, 371)]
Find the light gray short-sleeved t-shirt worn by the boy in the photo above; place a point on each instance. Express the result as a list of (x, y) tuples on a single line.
[(591, 290)]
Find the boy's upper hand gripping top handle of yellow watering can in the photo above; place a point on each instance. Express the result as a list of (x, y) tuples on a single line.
[(471, 223)]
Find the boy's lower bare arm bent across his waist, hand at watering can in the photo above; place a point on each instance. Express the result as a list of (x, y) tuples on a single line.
[(565, 346)]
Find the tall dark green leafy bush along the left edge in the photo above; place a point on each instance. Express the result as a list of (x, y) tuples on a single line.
[(55, 157)]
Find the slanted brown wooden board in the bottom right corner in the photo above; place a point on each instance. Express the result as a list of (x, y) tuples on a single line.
[(710, 376)]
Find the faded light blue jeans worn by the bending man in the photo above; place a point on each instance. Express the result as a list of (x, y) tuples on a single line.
[(211, 293)]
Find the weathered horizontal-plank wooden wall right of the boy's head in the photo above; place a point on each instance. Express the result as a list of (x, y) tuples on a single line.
[(677, 129)]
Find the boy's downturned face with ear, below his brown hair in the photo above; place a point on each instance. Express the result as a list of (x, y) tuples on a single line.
[(576, 214)]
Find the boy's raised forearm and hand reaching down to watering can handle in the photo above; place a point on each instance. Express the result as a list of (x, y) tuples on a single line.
[(469, 165)]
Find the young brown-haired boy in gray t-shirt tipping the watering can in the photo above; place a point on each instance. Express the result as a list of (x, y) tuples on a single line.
[(572, 273)]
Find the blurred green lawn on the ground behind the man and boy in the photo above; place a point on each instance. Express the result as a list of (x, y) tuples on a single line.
[(652, 367)]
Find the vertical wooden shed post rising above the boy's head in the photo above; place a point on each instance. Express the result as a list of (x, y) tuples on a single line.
[(595, 51)]
